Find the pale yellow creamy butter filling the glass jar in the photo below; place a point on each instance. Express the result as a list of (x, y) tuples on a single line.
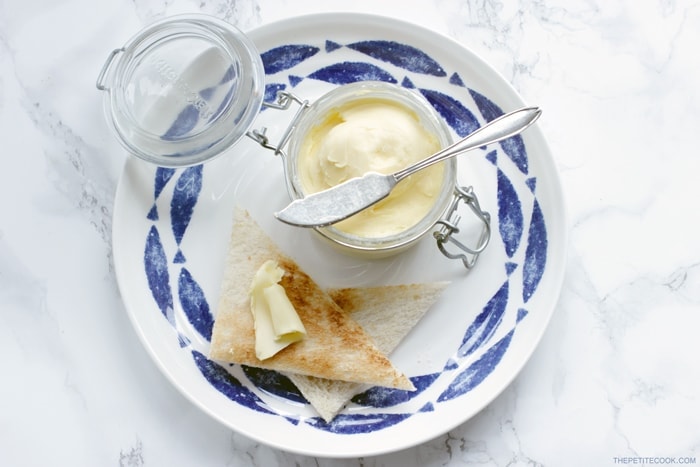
[(379, 135)]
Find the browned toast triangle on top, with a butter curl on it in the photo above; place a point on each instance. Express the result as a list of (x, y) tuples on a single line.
[(336, 347)]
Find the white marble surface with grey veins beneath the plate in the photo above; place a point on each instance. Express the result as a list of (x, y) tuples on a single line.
[(616, 378)]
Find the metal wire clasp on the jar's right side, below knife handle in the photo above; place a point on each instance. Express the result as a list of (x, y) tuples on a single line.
[(449, 226)]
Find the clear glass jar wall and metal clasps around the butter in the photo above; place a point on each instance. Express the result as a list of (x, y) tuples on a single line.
[(444, 215)]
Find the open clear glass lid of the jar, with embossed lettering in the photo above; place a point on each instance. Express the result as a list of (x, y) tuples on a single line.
[(182, 90)]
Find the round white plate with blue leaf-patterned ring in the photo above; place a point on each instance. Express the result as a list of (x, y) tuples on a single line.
[(171, 229)]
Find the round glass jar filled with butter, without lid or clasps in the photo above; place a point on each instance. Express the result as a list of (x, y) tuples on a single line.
[(381, 127)]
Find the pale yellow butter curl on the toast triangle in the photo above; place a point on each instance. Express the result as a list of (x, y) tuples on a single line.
[(277, 323)]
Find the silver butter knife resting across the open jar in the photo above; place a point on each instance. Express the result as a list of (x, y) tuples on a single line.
[(352, 196)]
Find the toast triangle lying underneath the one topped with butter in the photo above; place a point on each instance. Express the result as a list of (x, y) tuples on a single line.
[(387, 314)]
